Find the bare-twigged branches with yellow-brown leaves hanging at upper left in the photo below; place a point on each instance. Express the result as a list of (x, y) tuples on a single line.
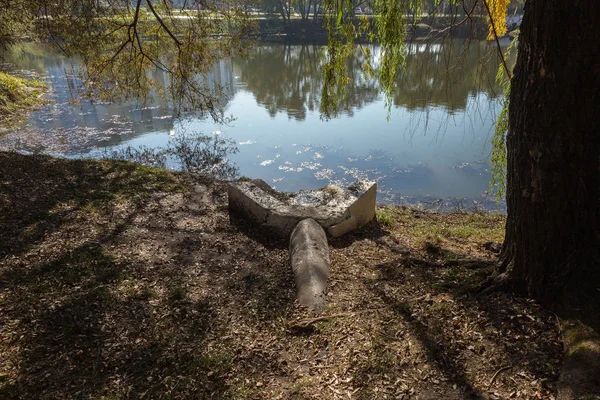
[(128, 49)]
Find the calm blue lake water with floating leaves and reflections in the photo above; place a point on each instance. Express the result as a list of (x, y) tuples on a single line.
[(433, 150)]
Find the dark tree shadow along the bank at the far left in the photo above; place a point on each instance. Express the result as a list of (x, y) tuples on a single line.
[(40, 194)]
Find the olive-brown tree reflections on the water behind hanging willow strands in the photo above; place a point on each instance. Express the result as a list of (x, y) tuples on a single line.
[(288, 78)]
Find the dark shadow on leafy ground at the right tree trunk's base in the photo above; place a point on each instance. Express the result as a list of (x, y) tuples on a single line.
[(513, 320)]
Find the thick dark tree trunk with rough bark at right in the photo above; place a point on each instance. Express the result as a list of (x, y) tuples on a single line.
[(552, 245)]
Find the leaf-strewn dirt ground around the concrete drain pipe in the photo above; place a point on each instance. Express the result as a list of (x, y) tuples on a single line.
[(120, 281)]
